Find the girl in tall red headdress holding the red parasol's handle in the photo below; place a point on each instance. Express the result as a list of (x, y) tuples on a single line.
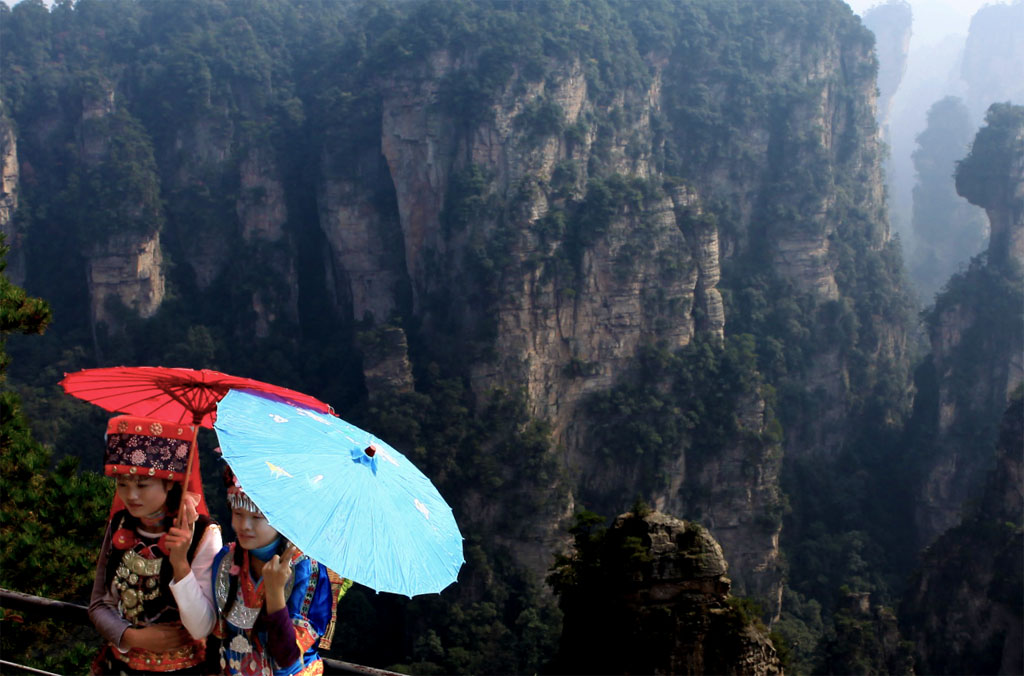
[(152, 599)]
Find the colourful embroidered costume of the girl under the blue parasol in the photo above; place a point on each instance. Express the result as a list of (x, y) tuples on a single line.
[(244, 649)]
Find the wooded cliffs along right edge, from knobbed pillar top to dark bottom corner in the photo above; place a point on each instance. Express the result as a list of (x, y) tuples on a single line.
[(970, 576)]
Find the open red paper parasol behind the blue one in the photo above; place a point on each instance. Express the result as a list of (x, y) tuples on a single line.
[(183, 396)]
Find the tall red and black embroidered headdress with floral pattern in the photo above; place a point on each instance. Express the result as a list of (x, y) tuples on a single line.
[(147, 447)]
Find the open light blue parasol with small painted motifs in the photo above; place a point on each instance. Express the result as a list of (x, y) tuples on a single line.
[(342, 495)]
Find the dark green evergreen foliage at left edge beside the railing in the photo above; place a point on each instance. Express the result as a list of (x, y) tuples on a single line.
[(52, 518)]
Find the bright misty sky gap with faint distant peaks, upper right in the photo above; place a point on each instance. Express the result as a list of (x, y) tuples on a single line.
[(979, 67)]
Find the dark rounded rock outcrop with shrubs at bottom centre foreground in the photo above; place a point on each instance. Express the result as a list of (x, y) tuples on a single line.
[(665, 607)]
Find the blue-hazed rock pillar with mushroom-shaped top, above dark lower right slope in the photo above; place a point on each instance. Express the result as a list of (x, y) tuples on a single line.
[(975, 330)]
